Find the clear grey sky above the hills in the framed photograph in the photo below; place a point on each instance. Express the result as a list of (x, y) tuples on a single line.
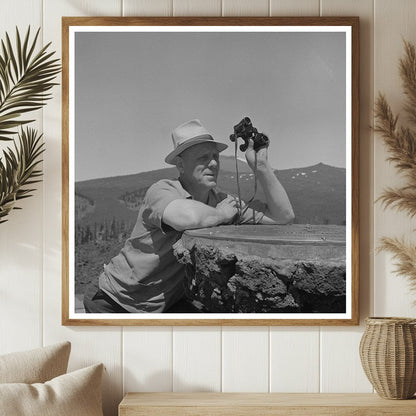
[(133, 88)]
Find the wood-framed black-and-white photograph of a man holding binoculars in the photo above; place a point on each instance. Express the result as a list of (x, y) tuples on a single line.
[(210, 171)]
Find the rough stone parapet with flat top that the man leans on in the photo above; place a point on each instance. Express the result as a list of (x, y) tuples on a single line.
[(265, 269)]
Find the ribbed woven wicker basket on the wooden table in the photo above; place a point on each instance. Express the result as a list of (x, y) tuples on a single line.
[(388, 356)]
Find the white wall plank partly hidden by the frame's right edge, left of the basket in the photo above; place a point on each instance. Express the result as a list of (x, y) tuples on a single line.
[(341, 367)]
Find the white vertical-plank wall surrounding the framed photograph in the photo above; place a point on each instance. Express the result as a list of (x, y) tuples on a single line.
[(276, 359)]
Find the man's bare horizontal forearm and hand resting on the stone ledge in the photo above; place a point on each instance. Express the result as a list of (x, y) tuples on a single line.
[(186, 214)]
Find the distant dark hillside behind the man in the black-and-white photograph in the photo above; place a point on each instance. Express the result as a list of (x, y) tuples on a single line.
[(317, 192)]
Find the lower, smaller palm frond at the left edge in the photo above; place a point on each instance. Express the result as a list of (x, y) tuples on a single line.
[(19, 169)]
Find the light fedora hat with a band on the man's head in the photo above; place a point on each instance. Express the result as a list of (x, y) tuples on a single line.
[(189, 134)]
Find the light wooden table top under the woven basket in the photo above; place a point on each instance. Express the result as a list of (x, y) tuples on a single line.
[(262, 404)]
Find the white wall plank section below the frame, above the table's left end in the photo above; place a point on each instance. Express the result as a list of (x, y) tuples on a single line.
[(147, 359)]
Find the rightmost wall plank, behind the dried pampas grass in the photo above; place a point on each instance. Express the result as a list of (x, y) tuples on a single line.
[(393, 21)]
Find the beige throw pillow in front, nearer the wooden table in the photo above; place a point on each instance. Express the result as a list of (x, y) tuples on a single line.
[(73, 394)]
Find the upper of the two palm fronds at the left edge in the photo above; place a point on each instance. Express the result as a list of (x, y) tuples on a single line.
[(26, 78)]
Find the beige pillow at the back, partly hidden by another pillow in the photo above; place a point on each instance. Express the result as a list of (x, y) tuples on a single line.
[(35, 366)]
